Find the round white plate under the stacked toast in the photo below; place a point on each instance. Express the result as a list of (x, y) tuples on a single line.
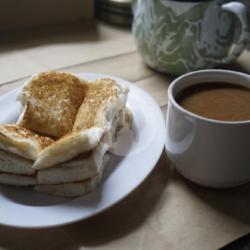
[(23, 207)]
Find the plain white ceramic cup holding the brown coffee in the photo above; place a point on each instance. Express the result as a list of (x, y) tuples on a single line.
[(208, 152)]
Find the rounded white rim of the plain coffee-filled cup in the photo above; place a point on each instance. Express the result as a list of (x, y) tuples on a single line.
[(220, 72)]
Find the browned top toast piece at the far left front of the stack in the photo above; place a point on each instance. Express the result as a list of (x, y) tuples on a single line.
[(22, 142)]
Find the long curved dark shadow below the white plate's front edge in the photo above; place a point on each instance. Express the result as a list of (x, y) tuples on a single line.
[(115, 223)]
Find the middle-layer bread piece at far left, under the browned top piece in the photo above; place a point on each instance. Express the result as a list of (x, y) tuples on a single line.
[(14, 164)]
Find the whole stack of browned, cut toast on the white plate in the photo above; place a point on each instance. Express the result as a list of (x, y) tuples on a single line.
[(60, 142)]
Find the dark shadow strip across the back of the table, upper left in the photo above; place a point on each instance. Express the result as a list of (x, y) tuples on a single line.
[(85, 31)]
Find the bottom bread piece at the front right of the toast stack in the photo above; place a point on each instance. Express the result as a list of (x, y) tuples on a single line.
[(70, 189)]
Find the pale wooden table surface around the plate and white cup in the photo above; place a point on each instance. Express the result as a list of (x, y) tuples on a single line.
[(165, 211)]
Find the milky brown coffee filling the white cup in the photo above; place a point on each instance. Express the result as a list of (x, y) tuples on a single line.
[(219, 101)]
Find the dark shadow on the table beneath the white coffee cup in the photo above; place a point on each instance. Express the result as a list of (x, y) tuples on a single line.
[(234, 202)]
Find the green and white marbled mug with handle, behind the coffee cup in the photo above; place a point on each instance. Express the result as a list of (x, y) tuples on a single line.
[(181, 36)]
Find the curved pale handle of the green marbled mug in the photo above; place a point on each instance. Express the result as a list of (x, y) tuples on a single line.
[(240, 11)]
